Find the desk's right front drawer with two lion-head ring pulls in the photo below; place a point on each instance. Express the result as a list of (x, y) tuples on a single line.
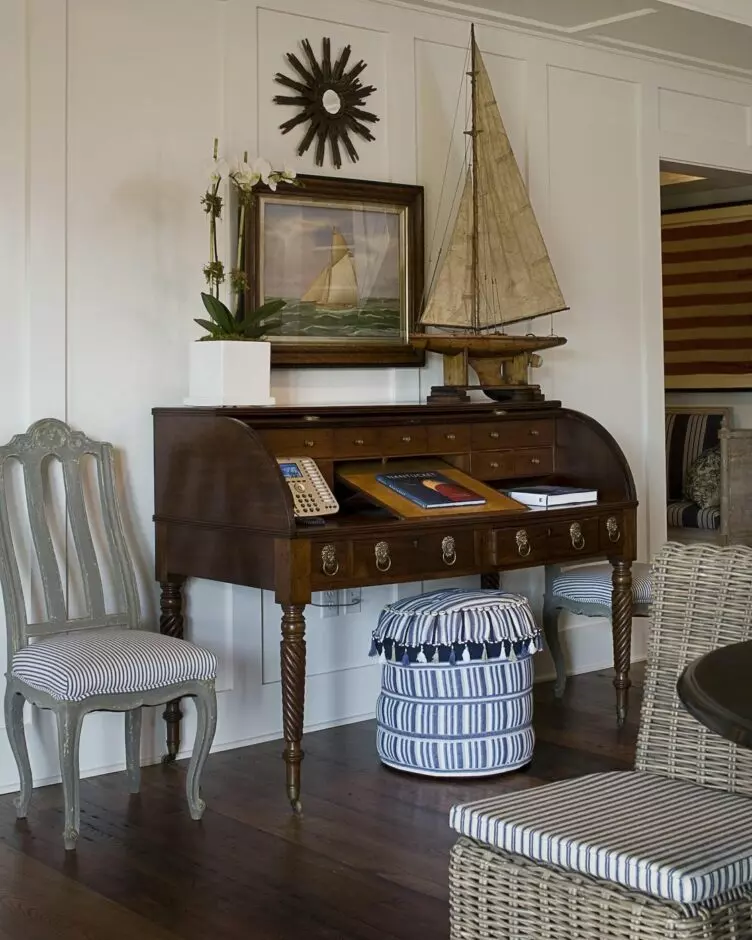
[(541, 543)]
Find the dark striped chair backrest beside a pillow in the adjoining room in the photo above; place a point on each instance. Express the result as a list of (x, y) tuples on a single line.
[(689, 431)]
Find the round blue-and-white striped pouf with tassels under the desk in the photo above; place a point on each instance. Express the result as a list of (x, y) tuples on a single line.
[(456, 691)]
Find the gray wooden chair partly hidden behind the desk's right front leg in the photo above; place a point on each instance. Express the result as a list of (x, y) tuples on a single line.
[(586, 591)]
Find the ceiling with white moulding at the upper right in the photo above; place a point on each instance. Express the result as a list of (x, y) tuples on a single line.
[(648, 27)]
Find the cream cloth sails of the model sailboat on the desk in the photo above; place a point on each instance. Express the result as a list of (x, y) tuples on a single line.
[(514, 279)]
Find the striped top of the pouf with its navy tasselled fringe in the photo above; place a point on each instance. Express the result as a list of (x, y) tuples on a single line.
[(456, 624)]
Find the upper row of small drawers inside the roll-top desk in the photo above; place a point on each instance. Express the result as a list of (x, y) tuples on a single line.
[(338, 443)]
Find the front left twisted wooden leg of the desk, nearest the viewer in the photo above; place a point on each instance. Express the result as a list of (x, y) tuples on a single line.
[(293, 695)]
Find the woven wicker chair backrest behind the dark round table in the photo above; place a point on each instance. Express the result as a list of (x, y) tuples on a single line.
[(702, 599)]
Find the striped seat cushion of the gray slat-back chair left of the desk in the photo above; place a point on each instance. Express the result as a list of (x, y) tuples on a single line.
[(72, 666)]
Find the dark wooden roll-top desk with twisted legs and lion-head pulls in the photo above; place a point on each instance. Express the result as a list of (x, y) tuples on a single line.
[(224, 512)]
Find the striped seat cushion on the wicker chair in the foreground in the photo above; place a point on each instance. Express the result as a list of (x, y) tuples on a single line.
[(671, 839)]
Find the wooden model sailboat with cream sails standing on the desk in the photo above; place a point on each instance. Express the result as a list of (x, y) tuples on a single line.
[(495, 270)]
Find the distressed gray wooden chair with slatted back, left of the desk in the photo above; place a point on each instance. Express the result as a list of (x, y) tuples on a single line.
[(102, 660)]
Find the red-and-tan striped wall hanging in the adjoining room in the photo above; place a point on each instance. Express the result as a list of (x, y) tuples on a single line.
[(707, 298)]
